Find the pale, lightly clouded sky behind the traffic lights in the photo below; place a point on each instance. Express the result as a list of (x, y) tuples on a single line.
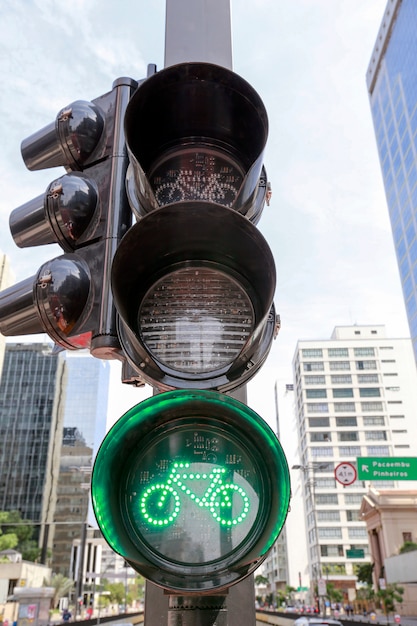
[(327, 224)]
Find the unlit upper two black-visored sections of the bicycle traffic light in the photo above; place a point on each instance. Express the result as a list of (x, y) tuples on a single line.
[(193, 280)]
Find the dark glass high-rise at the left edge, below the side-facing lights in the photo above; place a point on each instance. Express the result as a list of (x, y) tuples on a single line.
[(32, 398)]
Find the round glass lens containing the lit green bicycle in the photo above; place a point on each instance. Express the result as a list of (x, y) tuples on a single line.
[(206, 501)]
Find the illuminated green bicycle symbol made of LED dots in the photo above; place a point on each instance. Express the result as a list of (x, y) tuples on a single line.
[(161, 503)]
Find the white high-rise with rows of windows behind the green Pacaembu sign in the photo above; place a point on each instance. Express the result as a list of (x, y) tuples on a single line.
[(355, 396)]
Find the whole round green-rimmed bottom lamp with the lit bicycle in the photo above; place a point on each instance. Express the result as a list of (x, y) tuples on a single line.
[(192, 488)]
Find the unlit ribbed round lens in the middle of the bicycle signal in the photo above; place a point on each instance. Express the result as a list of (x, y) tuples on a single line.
[(196, 319)]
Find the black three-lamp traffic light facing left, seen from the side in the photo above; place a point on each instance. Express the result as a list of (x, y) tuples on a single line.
[(86, 212)]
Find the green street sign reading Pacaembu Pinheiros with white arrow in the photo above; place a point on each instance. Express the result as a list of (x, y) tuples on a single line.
[(387, 468)]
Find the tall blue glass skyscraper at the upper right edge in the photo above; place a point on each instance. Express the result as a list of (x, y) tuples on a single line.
[(392, 87)]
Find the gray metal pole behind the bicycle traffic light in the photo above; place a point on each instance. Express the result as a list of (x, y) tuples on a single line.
[(200, 30)]
